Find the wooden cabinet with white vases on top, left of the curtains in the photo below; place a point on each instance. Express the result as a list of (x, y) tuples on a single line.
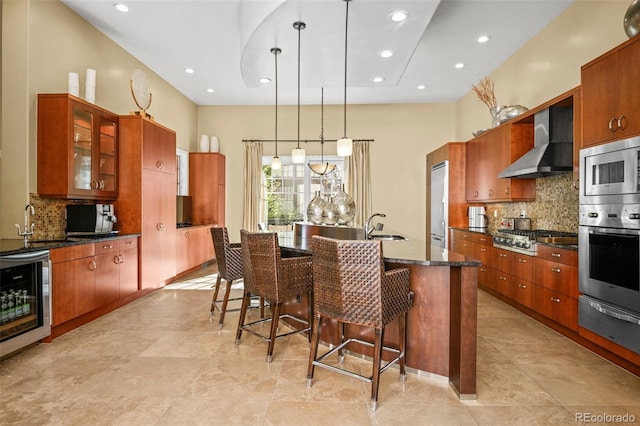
[(207, 188)]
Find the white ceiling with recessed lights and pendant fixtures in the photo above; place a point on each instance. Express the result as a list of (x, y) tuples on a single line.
[(227, 43)]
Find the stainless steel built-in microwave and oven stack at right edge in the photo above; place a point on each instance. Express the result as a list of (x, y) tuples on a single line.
[(609, 241)]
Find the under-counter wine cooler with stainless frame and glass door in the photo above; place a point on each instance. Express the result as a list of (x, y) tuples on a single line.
[(24, 299)]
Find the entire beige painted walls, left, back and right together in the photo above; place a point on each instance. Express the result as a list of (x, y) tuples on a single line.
[(43, 40)]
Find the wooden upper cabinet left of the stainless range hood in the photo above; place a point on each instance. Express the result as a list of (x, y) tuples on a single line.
[(489, 154)]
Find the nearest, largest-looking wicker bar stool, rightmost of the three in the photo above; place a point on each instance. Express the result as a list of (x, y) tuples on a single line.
[(351, 286)]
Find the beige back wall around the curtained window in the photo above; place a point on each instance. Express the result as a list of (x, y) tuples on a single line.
[(403, 135)]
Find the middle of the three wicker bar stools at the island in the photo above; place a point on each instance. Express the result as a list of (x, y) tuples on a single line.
[(276, 280)]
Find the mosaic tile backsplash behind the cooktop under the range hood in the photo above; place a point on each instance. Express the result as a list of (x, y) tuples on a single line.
[(555, 207)]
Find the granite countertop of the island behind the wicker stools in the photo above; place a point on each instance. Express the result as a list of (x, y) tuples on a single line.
[(409, 252)]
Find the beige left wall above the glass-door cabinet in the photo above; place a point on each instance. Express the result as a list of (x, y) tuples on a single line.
[(42, 42)]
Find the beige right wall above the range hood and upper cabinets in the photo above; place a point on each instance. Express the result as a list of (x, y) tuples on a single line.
[(549, 64)]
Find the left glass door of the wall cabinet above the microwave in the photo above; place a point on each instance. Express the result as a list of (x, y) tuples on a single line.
[(83, 124)]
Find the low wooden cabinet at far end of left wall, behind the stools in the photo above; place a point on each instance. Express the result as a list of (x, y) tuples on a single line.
[(194, 247)]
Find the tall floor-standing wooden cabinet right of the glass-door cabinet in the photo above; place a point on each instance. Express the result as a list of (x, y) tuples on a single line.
[(147, 203)]
